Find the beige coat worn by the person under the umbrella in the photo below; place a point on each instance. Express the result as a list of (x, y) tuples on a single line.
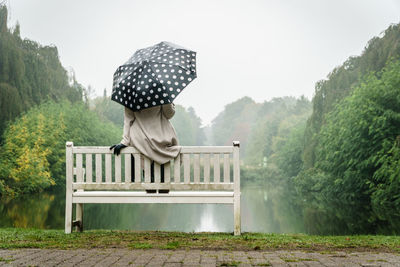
[(151, 132)]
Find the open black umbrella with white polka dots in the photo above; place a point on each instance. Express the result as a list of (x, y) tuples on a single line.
[(154, 76)]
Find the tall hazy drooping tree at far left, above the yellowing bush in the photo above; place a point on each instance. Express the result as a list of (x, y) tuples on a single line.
[(29, 74)]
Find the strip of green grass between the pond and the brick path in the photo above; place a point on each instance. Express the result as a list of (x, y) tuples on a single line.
[(34, 238)]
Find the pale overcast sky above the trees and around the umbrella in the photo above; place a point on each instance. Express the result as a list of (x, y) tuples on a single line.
[(261, 49)]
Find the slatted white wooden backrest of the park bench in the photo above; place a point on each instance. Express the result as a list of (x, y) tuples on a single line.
[(195, 168)]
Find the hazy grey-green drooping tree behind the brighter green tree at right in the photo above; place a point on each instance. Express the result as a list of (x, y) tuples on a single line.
[(343, 78)]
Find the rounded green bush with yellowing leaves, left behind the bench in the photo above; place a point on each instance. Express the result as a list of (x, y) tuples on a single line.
[(33, 154)]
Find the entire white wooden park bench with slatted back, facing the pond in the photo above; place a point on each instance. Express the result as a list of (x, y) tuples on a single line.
[(96, 175)]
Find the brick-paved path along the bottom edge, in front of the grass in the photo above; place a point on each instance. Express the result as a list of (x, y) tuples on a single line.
[(157, 257)]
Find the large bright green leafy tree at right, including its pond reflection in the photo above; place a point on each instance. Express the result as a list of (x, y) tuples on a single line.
[(355, 173)]
